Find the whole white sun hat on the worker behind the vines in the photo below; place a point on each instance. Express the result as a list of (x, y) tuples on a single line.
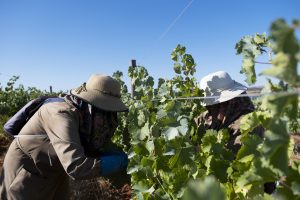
[(219, 87)]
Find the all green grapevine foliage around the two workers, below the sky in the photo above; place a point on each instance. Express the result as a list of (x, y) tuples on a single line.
[(172, 158)]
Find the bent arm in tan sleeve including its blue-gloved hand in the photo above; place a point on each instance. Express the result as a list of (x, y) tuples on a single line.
[(62, 128)]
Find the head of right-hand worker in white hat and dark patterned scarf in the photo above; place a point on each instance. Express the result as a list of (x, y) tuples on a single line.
[(222, 102)]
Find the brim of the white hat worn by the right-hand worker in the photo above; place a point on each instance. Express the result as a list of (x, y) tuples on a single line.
[(225, 95)]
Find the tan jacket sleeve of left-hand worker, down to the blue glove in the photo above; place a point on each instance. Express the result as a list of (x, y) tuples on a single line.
[(62, 128)]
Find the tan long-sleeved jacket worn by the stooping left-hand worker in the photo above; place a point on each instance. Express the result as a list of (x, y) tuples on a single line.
[(45, 154)]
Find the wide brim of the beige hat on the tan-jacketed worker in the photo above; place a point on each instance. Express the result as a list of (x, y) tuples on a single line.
[(102, 101)]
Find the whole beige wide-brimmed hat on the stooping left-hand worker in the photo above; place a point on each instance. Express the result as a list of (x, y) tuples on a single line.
[(101, 91)]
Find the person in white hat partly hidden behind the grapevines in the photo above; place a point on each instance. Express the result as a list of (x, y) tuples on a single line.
[(226, 103)]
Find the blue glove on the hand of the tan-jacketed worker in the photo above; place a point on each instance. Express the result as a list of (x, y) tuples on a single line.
[(111, 162)]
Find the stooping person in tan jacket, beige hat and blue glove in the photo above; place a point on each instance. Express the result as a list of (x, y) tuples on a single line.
[(61, 140)]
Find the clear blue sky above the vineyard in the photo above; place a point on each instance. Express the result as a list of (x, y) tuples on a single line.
[(62, 42)]
